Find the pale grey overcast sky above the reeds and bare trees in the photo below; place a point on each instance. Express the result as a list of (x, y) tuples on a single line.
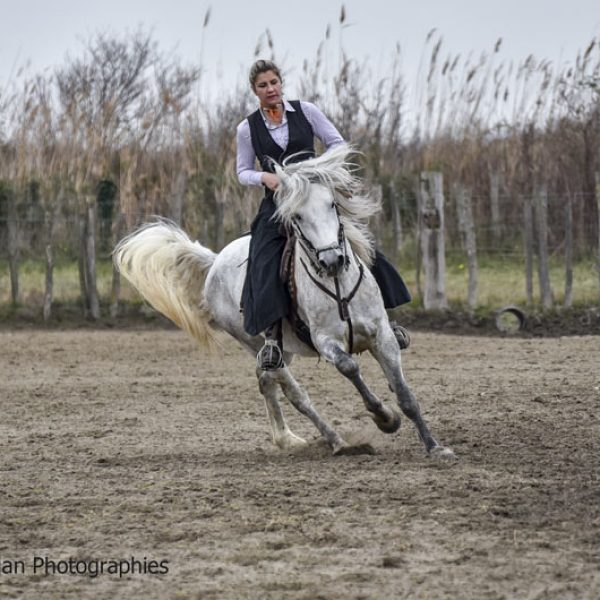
[(43, 31)]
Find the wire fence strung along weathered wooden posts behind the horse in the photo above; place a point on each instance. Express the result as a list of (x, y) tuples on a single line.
[(511, 246)]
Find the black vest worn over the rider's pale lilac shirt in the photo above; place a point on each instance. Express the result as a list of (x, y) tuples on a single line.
[(301, 144)]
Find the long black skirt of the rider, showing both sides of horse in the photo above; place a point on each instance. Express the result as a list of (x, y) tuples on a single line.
[(265, 299)]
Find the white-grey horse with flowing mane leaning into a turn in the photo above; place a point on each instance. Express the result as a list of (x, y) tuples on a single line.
[(337, 296)]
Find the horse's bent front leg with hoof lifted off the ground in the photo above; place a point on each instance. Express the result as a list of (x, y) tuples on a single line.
[(385, 418)]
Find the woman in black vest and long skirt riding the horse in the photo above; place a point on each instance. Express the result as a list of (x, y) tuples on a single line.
[(285, 130)]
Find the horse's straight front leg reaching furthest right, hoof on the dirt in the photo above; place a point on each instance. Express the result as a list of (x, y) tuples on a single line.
[(387, 354)]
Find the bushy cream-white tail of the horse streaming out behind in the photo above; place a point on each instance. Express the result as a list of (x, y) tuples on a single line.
[(169, 271)]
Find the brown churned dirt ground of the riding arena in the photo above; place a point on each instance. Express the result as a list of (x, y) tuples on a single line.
[(133, 444)]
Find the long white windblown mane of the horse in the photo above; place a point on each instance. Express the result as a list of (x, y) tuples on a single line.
[(334, 171)]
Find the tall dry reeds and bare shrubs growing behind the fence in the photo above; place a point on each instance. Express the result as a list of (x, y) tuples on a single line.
[(126, 112)]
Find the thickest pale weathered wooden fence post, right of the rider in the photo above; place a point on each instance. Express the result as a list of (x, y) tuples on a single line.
[(431, 234)]
